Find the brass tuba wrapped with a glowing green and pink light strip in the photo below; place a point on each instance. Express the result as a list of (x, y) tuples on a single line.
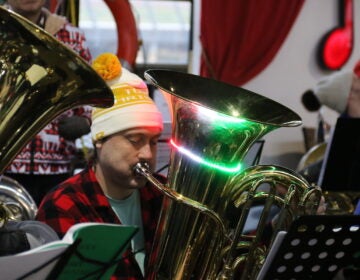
[(209, 194)]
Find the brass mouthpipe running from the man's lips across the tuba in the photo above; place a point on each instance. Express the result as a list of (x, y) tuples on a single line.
[(142, 169)]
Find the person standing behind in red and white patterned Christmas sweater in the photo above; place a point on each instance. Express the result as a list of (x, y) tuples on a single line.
[(46, 160)]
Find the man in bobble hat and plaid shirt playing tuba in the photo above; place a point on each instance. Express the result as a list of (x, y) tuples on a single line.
[(109, 190)]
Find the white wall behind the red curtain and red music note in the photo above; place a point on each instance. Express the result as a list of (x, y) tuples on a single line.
[(294, 70)]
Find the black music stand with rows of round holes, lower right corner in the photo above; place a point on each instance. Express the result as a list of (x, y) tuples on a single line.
[(315, 247)]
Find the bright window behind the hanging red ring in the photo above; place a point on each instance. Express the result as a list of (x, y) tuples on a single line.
[(164, 30)]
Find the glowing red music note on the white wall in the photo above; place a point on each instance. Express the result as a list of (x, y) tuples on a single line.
[(336, 47)]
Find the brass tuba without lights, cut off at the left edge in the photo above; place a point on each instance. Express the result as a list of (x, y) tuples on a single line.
[(39, 79)]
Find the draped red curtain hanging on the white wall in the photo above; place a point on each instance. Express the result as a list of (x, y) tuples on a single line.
[(240, 37)]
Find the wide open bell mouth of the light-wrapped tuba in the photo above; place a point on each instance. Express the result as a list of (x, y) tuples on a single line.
[(224, 98)]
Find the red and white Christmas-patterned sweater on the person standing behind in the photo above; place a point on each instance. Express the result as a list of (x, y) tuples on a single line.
[(48, 153)]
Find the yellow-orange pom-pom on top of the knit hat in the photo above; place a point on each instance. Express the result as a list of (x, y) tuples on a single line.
[(108, 66)]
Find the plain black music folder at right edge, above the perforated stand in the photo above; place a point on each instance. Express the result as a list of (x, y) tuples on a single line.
[(341, 165)]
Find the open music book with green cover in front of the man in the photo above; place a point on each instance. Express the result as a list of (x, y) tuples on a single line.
[(100, 242)]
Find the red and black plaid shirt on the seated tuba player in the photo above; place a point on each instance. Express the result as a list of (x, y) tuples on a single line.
[(80, 199)]
